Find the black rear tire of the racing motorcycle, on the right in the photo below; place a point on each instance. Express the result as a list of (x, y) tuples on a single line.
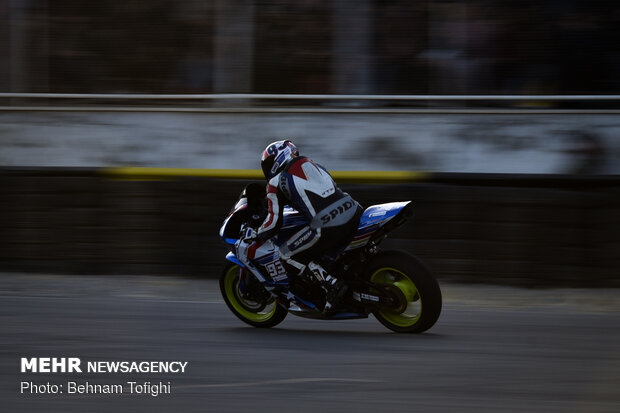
[(418, 285)]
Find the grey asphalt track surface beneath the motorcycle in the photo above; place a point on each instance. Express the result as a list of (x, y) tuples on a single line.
[(494, 349)]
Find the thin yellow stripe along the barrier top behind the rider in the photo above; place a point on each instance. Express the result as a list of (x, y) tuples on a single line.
[(137, 173)]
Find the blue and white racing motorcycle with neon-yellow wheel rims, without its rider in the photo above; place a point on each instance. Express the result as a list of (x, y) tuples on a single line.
[(395, 286)]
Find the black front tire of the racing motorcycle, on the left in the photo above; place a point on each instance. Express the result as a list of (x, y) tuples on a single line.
[(253, 313)]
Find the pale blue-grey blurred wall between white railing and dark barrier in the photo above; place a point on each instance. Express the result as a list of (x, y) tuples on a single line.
[(509, 143)]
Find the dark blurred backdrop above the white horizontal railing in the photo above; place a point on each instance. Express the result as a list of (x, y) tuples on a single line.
[(311, 46)]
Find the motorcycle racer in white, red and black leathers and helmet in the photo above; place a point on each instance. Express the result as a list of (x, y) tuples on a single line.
[(331, 218)]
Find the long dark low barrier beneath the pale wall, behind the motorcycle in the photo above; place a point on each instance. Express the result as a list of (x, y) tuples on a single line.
[(499, 229)]
